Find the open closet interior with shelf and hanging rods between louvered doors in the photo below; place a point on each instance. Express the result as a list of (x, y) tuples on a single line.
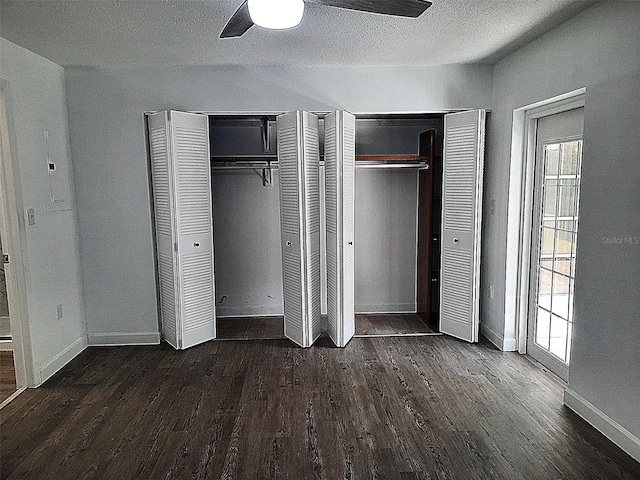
[(397, 224)]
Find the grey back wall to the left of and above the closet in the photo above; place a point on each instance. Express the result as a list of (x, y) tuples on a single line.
[(108, 143)]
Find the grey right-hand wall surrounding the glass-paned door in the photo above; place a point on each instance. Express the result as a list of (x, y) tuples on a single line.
[(600, 50)]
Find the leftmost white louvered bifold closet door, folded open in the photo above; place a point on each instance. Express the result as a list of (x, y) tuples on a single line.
[(181, 180)]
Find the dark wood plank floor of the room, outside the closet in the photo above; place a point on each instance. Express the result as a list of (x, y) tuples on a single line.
[(386, 408)]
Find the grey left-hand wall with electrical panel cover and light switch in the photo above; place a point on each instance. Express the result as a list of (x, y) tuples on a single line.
[(52, 252)]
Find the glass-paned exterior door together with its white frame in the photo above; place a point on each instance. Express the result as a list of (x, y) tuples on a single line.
[(542, 227)]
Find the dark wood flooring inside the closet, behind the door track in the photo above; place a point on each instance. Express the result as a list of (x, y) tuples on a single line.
[(234, 328)]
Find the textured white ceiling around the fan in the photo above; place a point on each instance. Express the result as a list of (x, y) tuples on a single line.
[(185, 32)]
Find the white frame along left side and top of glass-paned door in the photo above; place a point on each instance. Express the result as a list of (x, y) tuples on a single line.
[(520, 212)]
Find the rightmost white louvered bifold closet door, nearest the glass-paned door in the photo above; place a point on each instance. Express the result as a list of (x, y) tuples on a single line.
[(463, 160)]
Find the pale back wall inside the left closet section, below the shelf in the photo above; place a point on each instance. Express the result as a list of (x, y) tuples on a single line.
[(248, 257)]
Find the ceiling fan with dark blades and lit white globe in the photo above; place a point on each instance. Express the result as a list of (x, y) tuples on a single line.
[(279, 14)]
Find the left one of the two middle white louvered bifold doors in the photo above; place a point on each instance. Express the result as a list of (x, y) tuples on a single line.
[(298, 163)]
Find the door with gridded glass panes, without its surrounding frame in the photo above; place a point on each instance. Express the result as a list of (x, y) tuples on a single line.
[(554, 238)]
